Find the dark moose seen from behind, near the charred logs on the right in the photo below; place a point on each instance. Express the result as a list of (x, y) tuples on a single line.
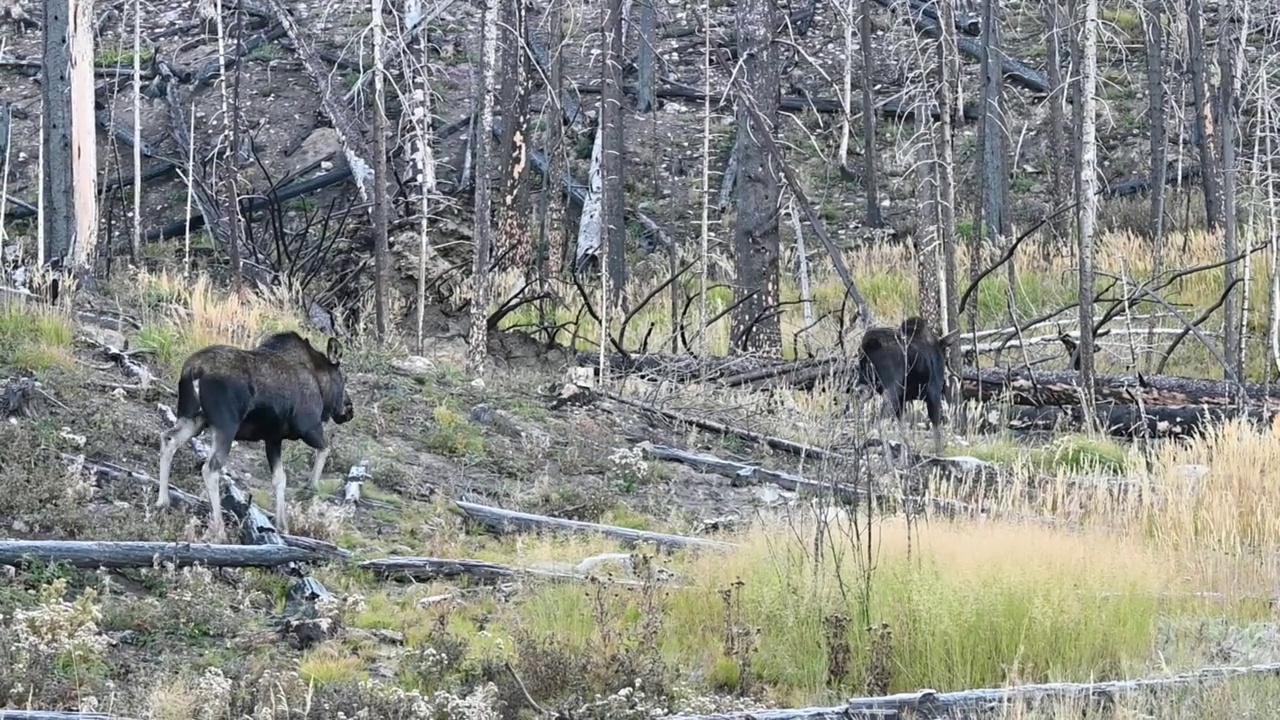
[(907, 363)]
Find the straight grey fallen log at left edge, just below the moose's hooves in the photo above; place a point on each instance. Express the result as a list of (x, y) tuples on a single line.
[(100, 554)]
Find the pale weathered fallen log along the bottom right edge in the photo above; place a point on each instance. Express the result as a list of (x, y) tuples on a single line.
[(932, 704)]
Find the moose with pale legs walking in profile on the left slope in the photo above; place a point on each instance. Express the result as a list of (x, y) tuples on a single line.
[(282, 390)]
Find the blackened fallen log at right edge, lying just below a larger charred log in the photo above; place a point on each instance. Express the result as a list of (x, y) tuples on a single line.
[(1136, 421)]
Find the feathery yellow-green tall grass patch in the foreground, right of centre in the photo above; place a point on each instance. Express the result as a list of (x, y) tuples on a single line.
[(973, 605)]
